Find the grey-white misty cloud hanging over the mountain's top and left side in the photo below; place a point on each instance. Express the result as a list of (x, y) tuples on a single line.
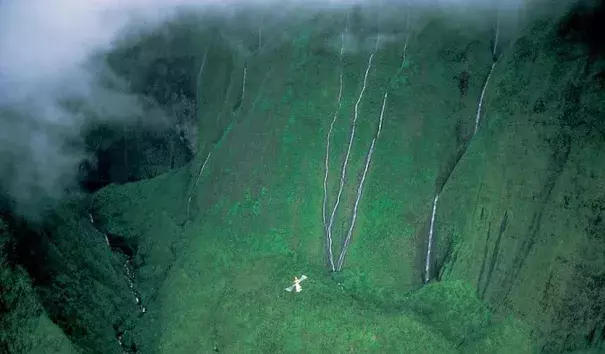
[(45, 60)]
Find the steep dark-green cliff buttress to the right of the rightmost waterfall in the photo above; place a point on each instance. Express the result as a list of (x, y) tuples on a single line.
[(524, 205)]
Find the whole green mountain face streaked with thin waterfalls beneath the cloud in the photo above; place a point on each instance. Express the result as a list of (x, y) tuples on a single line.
[(516, 262)]
